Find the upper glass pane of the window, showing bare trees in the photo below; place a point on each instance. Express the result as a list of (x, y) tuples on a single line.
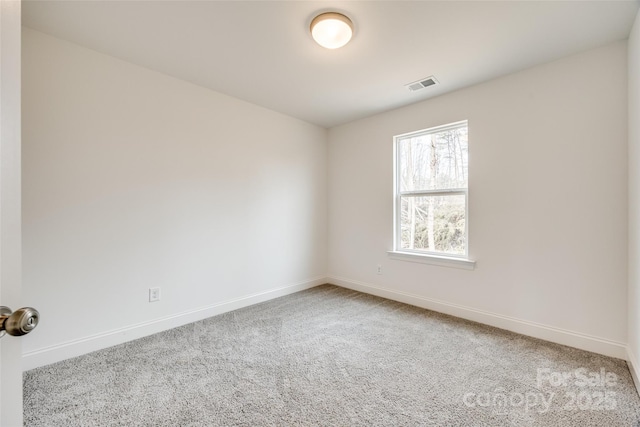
[(434, 161)]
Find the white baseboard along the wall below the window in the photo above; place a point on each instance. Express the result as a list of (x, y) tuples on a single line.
[(532, 329)]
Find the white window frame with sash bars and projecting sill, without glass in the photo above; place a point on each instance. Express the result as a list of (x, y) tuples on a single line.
[(421, 255)]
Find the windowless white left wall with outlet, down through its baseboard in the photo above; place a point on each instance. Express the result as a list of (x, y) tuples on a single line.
[(133, 179)]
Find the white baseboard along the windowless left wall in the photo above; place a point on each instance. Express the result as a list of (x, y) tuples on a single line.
[(59, 352)]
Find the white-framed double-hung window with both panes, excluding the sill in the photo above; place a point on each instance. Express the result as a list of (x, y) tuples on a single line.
[(431, 195)]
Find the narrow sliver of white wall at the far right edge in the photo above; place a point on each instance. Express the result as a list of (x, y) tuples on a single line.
[(634, 199)]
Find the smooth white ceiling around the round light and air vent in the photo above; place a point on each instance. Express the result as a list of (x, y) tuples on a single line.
[(262, 52)]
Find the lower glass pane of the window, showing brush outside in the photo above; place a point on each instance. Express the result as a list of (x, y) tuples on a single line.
[(433, 223)]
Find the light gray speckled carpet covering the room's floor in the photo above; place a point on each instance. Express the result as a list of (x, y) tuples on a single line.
[(333, 357)]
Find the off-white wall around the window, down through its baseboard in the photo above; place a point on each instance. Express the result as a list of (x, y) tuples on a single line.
[(548, 203)]
